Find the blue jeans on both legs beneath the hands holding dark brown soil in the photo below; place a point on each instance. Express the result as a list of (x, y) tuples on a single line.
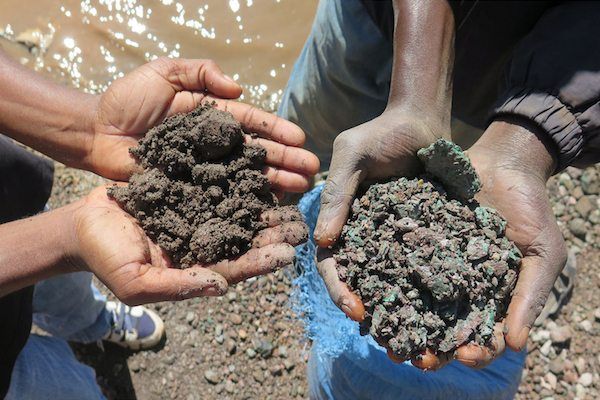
[(69, 307)]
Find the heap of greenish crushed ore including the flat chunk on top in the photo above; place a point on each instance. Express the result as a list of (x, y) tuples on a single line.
[(432, 267)]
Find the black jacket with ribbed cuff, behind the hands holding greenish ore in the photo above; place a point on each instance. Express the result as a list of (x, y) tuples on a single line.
[(537, 60)]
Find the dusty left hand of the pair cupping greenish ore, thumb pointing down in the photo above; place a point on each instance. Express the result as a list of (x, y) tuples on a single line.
[(382, 148)]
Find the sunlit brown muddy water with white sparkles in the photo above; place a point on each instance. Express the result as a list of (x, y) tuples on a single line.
[(89, 43)]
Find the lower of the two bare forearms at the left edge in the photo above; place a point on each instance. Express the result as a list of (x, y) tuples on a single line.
[(36, 248)]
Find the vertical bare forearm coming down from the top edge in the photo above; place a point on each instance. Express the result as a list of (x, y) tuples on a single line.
[(421, 80)]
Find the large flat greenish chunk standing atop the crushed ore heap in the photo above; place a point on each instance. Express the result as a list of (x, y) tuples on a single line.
[(450, 165)]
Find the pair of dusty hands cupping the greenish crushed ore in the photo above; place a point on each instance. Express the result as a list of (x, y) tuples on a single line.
[(513, 165)]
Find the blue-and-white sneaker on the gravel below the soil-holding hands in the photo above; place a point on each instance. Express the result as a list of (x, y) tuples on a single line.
[(135, 328)]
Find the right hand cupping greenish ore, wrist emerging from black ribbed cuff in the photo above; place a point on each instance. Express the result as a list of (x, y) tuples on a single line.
[(514, 165)]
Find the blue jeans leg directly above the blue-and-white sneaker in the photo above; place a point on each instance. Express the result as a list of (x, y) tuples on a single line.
[(71, 307)]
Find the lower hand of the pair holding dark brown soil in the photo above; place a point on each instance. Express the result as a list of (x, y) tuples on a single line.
[(111, 244)]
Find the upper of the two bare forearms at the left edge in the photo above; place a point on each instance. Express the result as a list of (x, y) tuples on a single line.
[(48, 117)]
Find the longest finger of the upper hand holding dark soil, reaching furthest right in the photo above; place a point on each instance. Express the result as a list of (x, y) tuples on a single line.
[(290, 158)]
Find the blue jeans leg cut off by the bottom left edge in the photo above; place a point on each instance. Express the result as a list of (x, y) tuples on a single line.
[(47, 369)]
